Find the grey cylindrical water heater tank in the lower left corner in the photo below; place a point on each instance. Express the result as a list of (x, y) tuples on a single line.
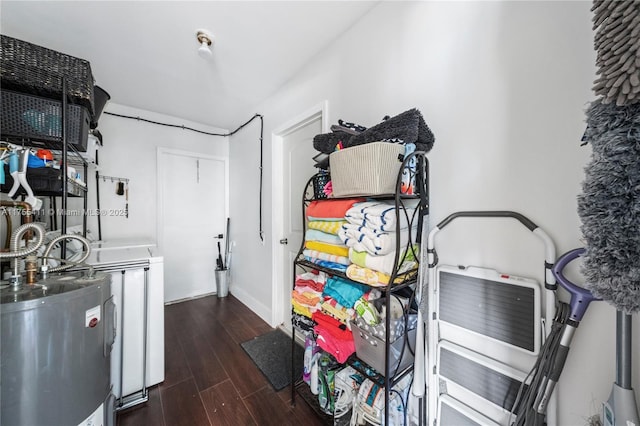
[(55, 346)]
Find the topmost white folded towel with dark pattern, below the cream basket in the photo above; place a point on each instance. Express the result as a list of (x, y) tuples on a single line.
[(378, 215)]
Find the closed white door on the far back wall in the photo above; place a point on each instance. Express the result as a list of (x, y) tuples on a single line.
[(193, 211)]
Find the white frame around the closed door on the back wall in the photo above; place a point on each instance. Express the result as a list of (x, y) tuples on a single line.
[(162, 169)]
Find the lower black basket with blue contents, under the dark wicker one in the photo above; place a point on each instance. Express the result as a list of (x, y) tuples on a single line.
[(38, 119)]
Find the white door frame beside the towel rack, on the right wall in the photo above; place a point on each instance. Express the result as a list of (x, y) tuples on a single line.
[(321, 111)]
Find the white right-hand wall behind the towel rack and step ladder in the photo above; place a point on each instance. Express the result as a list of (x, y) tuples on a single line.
[(504, 86)]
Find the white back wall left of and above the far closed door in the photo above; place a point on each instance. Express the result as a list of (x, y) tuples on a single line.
[(129, 151)]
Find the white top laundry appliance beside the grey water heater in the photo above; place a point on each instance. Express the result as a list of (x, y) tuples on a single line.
[(137, 275)]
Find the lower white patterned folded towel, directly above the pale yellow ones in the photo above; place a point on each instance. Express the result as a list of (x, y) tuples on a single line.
[(372, 241)]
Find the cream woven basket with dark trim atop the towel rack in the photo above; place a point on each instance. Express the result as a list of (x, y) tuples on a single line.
[(369, 169)]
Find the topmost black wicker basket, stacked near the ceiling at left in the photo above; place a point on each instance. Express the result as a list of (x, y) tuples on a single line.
[(33, 69)]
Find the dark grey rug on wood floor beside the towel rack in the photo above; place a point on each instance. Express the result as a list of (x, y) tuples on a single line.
[(271, 352)]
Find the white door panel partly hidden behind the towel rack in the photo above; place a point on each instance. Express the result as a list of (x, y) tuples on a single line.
[(298, 153)]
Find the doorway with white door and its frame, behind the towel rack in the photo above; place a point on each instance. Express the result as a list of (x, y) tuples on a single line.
[(293, 149)]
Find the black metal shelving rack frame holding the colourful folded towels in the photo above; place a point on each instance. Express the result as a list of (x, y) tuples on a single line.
[(397, 281)]
